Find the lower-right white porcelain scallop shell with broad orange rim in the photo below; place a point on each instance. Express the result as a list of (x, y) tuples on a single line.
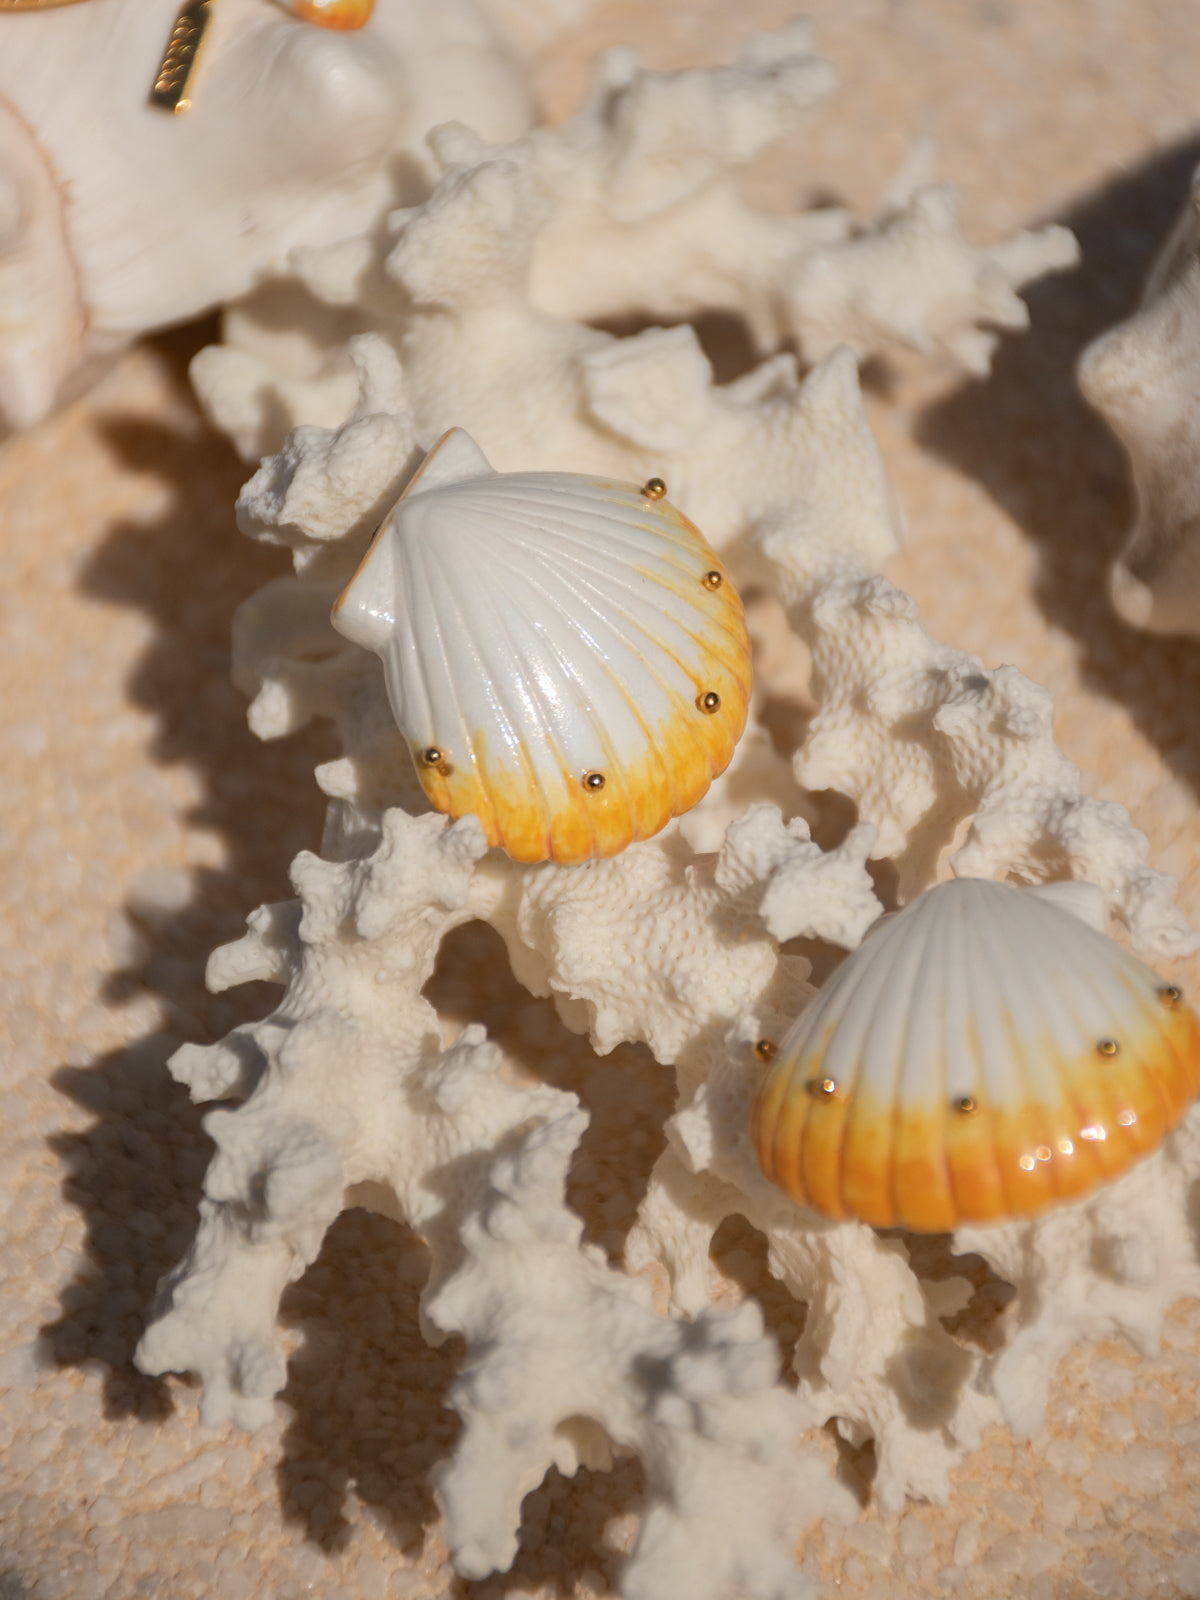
[(983, 1055)]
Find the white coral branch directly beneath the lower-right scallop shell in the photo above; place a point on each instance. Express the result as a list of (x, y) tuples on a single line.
[(874, 1354)]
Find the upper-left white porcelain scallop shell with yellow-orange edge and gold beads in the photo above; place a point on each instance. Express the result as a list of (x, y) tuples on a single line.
[(566, 655)]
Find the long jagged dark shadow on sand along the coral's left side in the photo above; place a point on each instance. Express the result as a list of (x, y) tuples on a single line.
[(135, 1172)]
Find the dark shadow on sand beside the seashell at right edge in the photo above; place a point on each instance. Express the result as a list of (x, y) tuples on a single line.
[(1050, 462)]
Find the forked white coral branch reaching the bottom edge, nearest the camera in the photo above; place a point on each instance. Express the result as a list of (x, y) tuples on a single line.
[(569, 1361)]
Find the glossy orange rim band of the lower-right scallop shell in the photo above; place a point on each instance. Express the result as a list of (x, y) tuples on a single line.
[(930, 1167)]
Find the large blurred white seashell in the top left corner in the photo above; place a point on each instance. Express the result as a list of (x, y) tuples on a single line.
[(118, 218)]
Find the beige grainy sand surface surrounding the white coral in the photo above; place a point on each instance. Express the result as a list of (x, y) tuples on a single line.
[(142, 823)]
